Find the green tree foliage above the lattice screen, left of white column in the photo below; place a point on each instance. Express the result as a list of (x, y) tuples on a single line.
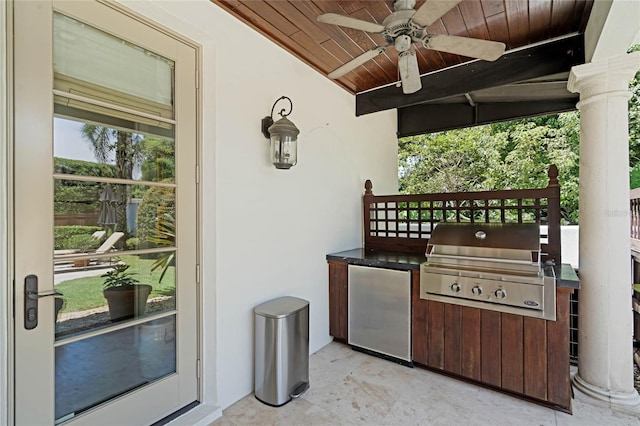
[(509, 155)]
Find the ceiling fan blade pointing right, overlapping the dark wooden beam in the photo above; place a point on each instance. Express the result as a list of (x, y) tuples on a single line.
[(465, 46)]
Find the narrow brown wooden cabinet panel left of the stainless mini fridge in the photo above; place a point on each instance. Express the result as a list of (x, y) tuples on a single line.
[(338, 301)]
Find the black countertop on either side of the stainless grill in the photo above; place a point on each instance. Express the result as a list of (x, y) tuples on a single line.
[(565, 274)]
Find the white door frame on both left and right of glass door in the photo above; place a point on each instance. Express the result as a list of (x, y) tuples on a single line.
[(205, 46)]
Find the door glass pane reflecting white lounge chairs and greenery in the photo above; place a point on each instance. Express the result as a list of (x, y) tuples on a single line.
[(96, 218)]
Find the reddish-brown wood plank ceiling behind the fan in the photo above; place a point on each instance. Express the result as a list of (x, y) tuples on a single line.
[(292, 24)]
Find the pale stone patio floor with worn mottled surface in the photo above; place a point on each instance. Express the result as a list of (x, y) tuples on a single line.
[(352, 388)]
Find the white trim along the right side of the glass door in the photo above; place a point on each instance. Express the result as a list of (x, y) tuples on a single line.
[(160, 13)]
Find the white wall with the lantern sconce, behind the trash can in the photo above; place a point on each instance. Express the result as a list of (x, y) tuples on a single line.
[(266, 232)]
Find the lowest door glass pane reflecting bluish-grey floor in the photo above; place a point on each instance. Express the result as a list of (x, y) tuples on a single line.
[(94, 370)]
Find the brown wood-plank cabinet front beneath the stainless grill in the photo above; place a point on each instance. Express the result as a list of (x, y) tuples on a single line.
[(523, 355)]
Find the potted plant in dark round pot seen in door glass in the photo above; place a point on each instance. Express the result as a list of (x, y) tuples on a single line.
[(125, 297)]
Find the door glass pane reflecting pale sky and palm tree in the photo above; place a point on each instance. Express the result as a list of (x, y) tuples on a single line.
[(86, 149)]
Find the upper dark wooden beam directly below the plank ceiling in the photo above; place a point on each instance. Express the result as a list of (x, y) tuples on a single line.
[(552, 57)]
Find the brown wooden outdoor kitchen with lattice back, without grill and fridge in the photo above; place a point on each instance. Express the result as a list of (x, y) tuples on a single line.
[(514, 352)]
